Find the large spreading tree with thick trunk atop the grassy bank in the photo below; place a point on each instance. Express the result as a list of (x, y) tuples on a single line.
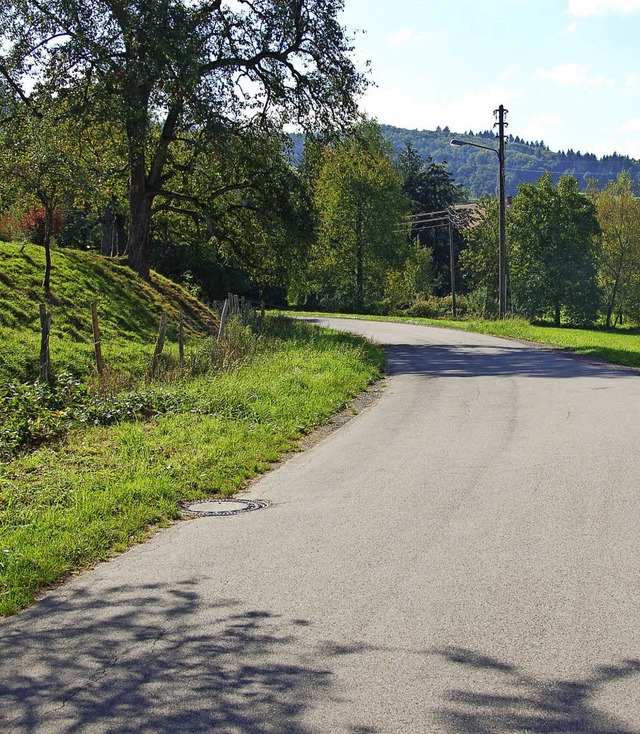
[(165, 67)]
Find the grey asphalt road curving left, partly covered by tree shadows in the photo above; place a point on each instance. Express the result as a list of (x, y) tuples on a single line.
[(462, 557)]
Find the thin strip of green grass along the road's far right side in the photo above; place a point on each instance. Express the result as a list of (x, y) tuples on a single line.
[(620, 346)]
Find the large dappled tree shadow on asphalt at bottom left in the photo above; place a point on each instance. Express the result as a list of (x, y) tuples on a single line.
[(153, 658)]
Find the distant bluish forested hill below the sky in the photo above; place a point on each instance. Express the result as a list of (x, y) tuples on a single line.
[(525, 162)]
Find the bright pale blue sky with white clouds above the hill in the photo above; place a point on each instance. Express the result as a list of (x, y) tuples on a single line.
[(567, 71)]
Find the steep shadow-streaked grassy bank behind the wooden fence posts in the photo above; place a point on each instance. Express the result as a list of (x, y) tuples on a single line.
[(129, 311)]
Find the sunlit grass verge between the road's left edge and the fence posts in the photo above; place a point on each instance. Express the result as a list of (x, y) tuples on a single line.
[(65, 507)]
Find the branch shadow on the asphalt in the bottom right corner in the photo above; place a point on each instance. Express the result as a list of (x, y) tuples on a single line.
[(531, 705)]
